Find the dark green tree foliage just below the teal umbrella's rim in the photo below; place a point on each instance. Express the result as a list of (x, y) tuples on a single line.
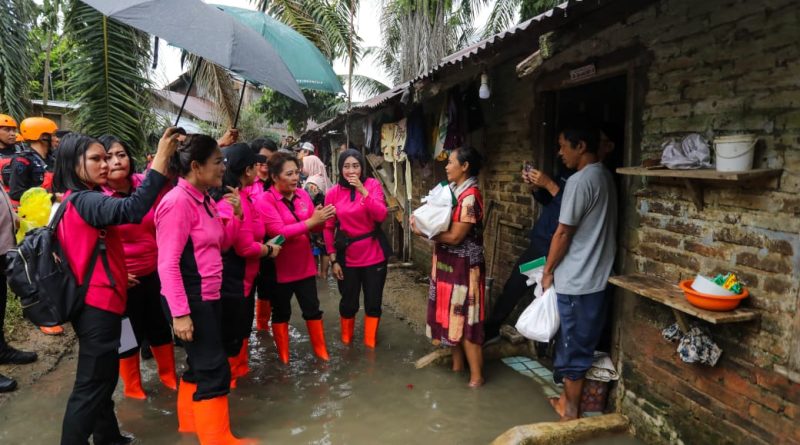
[(278, 108)]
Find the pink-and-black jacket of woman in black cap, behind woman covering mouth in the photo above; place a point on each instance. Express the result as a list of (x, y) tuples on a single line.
[(237, 281)]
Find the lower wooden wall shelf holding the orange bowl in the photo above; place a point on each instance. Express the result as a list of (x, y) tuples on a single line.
[(671, 295)]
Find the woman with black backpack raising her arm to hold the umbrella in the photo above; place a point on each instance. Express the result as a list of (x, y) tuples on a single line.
[(94, 250)]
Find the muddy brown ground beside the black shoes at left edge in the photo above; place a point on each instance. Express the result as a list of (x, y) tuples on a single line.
[(50, 348)]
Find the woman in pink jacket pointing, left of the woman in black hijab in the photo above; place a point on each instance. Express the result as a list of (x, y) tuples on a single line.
[(287, 210)]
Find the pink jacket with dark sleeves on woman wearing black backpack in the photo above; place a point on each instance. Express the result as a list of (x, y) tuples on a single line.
[(91, 215)]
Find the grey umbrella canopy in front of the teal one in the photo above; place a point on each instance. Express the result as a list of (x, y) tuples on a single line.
[(207, 32)]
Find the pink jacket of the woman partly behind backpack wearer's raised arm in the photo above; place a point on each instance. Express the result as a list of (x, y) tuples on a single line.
[(139, 240)]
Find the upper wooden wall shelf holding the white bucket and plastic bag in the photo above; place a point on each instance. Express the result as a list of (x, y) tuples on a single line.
[(692, 178)]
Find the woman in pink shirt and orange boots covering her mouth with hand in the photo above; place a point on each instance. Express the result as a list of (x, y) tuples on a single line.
[(191, 236)]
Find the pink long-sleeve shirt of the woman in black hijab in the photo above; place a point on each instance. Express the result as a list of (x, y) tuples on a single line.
[(357, 216)]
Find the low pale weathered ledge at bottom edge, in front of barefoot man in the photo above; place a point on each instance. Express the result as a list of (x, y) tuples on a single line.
[(563, 433)]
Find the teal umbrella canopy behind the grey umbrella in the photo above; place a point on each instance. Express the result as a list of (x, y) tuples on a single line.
[(307, 64)]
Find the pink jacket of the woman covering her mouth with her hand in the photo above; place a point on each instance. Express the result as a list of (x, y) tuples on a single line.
[(191, 236)]
